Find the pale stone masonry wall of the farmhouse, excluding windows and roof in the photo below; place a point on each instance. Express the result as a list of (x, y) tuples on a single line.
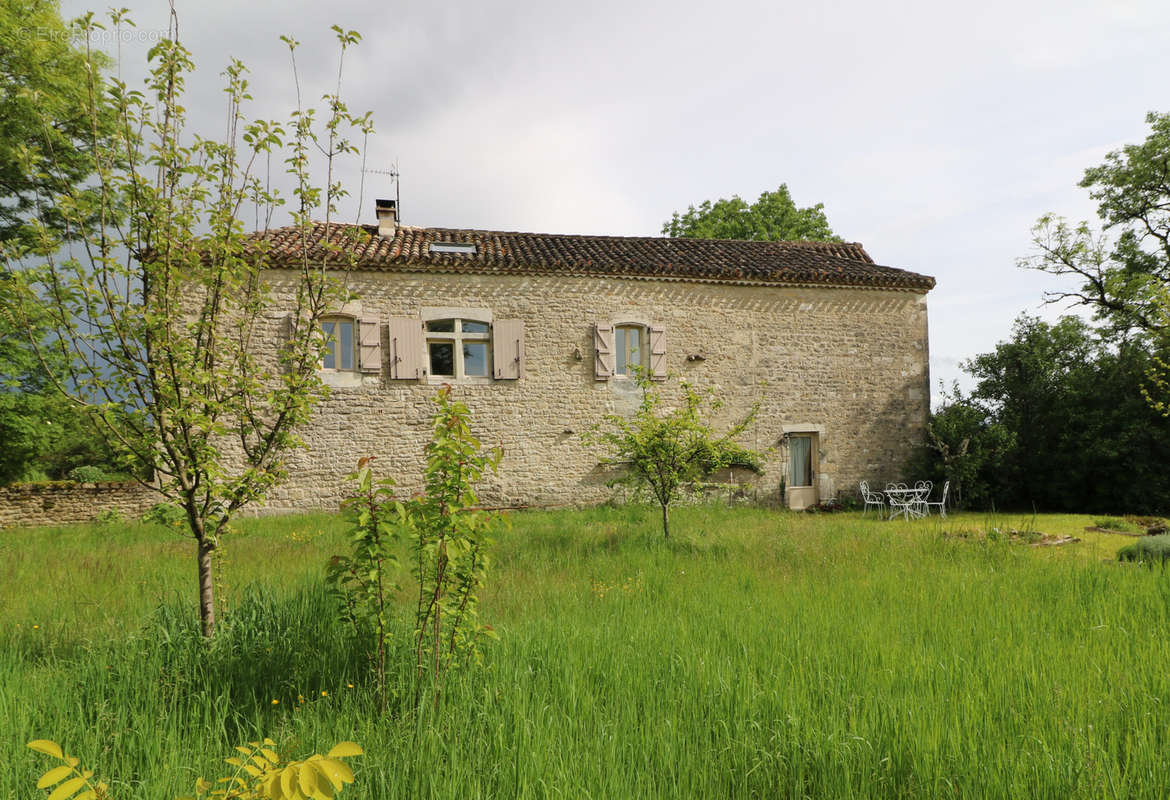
[(848, 363)]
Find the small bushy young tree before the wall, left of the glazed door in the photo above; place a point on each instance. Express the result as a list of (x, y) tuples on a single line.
[(664, 450)]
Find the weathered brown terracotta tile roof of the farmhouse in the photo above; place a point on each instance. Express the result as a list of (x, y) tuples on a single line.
[(510, 253)]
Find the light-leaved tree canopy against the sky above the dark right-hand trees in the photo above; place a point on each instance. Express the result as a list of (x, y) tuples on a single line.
[(1125, 278)]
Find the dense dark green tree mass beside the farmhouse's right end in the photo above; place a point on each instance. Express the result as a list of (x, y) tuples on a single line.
[(1057, 422)]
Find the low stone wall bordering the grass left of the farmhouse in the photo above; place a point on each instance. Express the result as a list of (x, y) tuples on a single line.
[(63, 504)]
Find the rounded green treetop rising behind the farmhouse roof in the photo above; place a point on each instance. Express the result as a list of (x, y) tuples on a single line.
[(774, 217)]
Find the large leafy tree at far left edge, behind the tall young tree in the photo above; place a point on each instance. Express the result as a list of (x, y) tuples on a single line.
[(45, 147)]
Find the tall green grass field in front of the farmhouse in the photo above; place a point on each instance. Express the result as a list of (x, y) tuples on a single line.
[(759, 654)]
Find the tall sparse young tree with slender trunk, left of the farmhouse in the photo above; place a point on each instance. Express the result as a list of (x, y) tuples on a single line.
[(156, 309)]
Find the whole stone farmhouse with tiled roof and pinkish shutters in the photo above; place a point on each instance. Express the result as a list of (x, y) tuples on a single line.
[(539, 335)]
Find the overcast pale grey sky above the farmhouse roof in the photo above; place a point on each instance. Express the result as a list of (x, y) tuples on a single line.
[(934, 133)]
